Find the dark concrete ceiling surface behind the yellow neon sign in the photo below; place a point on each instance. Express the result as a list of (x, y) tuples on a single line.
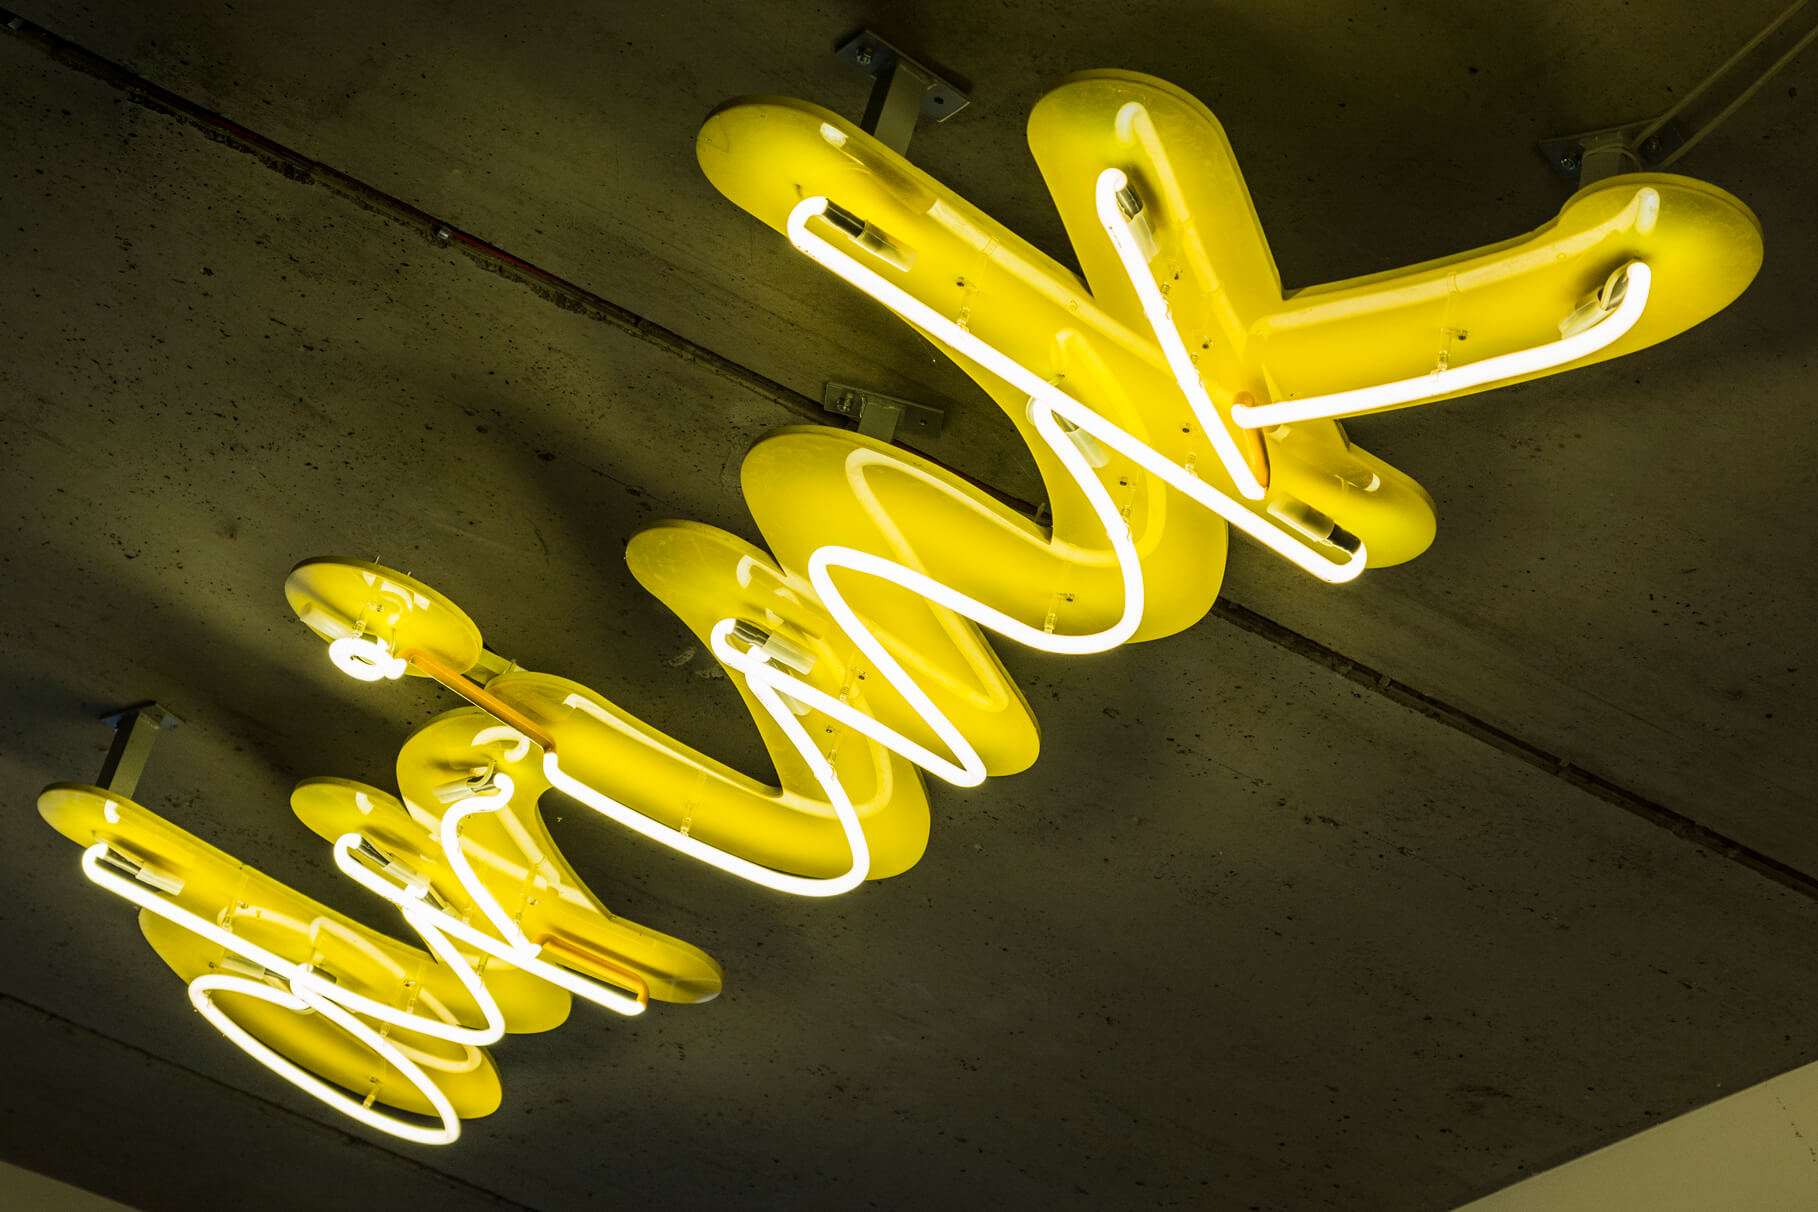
[(1363, 899)]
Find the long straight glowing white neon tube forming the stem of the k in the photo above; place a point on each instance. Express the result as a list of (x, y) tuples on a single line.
[(1059, 402)]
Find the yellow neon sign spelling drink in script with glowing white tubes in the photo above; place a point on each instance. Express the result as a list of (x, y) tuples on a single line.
[(1181, 395)]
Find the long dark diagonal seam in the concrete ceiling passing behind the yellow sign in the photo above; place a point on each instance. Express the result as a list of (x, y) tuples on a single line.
[(577, 299)]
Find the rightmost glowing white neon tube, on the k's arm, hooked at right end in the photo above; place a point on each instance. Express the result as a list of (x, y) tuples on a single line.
[(1619, 319)]
